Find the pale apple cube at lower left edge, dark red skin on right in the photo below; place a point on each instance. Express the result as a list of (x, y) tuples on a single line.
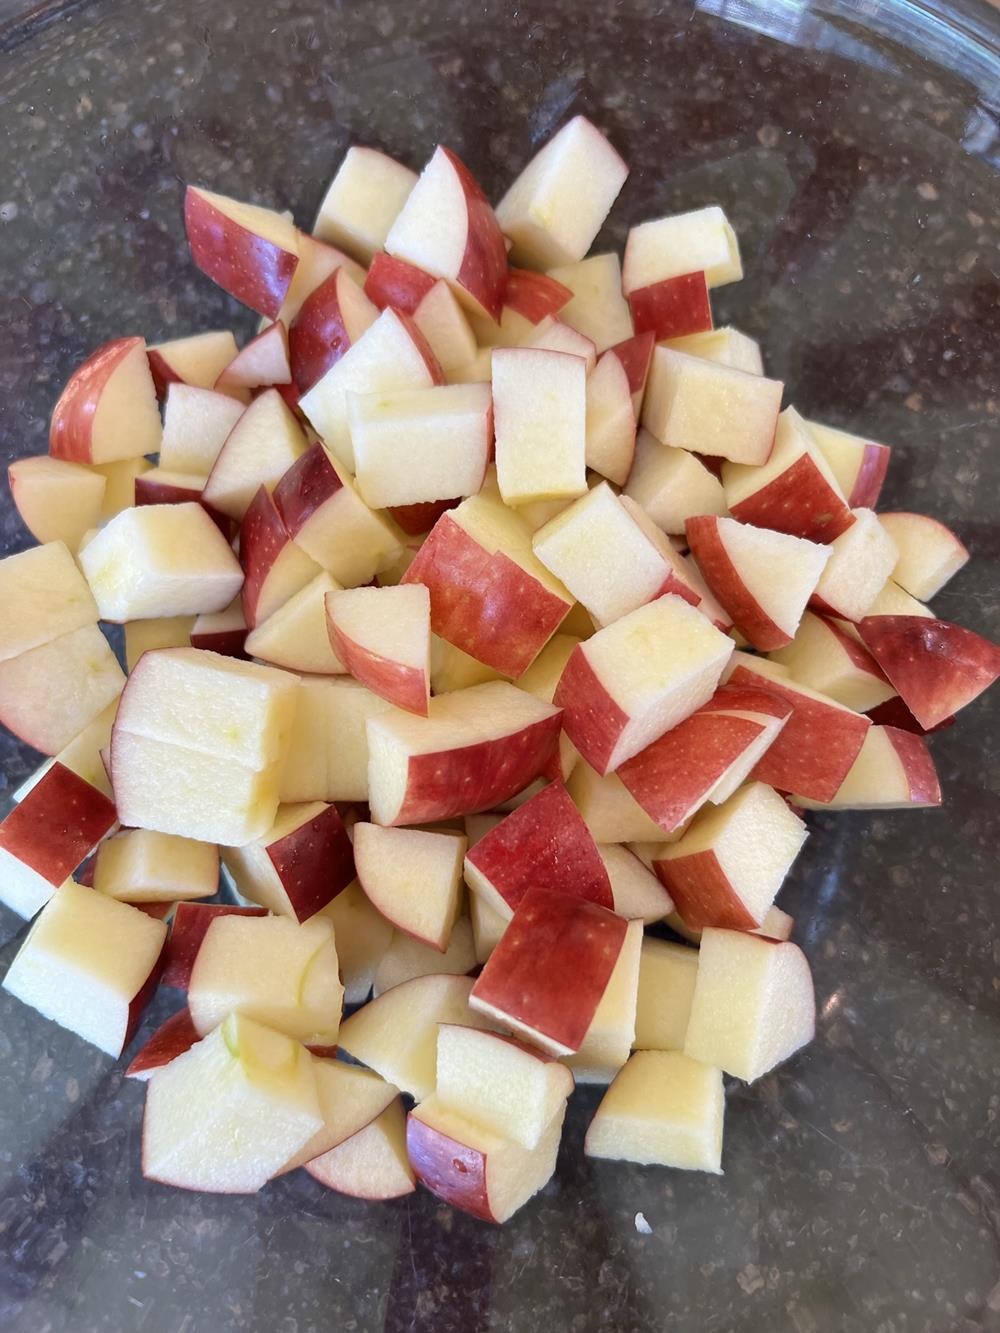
[(90, 964)]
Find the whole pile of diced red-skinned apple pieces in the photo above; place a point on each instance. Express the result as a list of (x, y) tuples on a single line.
[(451, 537)]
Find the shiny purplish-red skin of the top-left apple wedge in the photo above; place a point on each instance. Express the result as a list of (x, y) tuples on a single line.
[(246, 266)]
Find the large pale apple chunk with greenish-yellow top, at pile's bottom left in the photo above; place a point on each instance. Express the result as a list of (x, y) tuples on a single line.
[(225, 1116)]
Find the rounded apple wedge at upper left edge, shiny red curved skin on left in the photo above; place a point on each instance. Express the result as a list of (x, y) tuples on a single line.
[(107, 410)]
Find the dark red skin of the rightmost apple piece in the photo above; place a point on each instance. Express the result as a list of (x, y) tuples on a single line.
[(937, 667)]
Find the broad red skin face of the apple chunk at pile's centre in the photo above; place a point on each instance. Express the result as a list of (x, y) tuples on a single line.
[(485, 605)]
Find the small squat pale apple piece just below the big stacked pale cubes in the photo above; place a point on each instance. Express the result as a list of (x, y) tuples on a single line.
[(139, 866)]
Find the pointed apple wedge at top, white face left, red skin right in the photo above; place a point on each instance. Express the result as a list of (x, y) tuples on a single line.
[(447, 227)]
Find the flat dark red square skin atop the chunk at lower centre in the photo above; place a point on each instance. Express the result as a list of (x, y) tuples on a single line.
[(553, 966)]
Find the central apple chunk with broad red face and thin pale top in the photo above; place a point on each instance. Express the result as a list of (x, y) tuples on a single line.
[(490, 595)]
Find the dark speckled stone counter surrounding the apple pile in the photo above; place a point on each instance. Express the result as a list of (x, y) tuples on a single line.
[(862, 1187)]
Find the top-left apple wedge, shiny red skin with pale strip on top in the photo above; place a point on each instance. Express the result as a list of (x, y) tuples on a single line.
[(251, 253)]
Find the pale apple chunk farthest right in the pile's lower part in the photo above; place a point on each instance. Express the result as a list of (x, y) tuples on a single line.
[(754, 1003)]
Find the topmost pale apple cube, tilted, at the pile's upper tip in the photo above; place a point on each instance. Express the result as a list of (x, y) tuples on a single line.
[(558, 205)]
